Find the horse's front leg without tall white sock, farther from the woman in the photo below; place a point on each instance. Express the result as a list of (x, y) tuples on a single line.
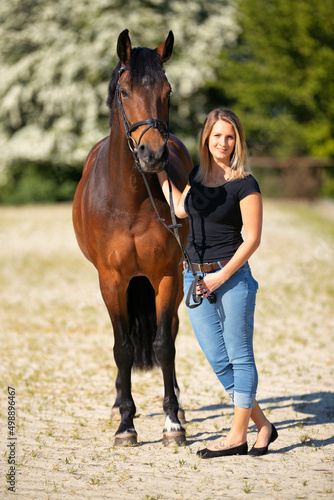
[(114, 296)]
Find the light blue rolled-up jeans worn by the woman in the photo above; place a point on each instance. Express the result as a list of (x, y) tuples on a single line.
[(224, 331)]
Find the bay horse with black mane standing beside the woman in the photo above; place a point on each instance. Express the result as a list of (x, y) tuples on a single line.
[(139, 262)]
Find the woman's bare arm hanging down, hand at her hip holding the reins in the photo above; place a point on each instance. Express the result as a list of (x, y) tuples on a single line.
[(251, 212)]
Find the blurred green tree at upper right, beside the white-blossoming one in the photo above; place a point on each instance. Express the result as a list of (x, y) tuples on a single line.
[(279, 77)]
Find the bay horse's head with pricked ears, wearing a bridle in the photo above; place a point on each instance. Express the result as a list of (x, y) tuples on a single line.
[(141, 94)]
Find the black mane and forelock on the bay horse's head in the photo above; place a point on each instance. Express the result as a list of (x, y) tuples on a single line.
[(144, 64)]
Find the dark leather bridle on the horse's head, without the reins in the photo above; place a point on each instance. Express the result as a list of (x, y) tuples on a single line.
[(156, 123)]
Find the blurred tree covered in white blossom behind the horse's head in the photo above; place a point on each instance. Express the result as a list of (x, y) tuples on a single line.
[(57, 58)]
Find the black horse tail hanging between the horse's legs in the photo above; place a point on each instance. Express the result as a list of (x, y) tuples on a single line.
[(142, 321)]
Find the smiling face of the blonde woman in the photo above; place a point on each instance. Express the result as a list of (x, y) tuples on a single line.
[(221, 142)]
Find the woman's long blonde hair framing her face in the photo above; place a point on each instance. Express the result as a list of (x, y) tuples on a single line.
[(239, 156)]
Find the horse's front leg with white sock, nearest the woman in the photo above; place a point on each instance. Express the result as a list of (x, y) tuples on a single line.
[(164, 349)]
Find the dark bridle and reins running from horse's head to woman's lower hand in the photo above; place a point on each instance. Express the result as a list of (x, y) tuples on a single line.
[(173, 228)]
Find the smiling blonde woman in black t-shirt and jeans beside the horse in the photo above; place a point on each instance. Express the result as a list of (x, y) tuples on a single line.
[(220, 198)]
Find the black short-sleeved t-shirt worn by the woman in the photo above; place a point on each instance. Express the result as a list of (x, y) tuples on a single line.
[(215, 218)]
